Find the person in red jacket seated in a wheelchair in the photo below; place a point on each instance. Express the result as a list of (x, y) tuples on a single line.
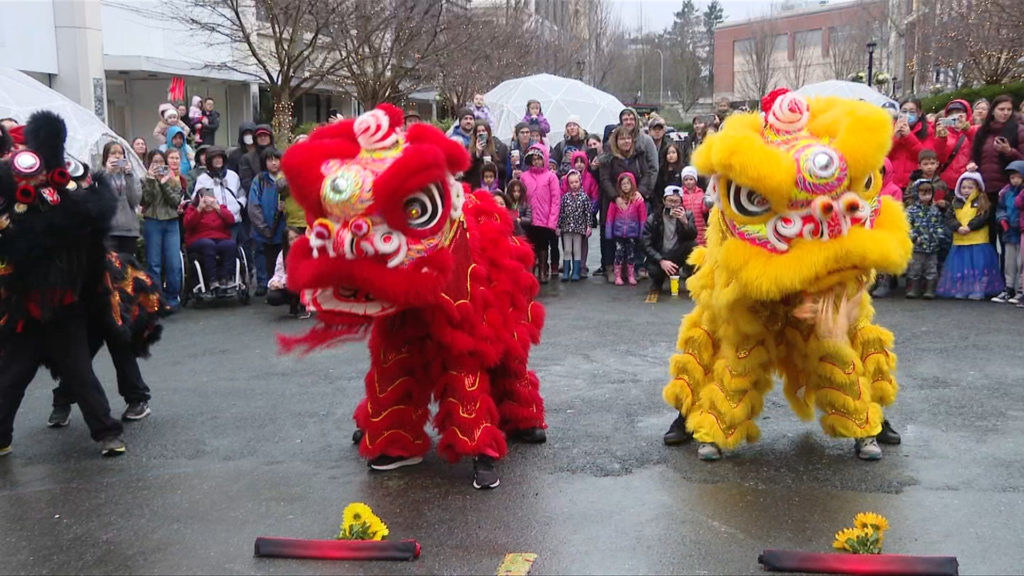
[(208, 233)]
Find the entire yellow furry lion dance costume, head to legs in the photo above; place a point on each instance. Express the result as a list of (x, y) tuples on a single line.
[(797, 232)]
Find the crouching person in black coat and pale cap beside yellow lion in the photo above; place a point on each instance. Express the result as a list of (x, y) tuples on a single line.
[(667, 254)]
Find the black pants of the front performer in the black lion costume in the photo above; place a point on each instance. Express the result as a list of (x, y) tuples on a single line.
[(64, 345)]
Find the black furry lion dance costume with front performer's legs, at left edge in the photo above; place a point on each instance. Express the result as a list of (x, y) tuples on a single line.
[(58, 282)]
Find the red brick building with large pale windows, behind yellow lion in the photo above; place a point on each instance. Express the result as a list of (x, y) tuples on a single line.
[(797, 45)]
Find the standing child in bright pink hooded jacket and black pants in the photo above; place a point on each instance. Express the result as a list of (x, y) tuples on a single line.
[(545, 199)]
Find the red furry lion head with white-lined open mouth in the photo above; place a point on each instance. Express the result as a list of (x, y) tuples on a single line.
[(383, 207)]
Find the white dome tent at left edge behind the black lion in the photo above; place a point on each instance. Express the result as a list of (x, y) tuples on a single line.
[(21, 96)]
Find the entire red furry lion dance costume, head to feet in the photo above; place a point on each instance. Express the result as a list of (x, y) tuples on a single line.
[(400, 250)]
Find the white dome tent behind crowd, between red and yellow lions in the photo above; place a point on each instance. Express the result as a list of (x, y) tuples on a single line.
[(560, 98)]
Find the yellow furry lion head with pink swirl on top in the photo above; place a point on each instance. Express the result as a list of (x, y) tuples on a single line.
[(797, 195)]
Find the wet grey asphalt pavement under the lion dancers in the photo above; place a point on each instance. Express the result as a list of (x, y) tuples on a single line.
[(244, 443)]
